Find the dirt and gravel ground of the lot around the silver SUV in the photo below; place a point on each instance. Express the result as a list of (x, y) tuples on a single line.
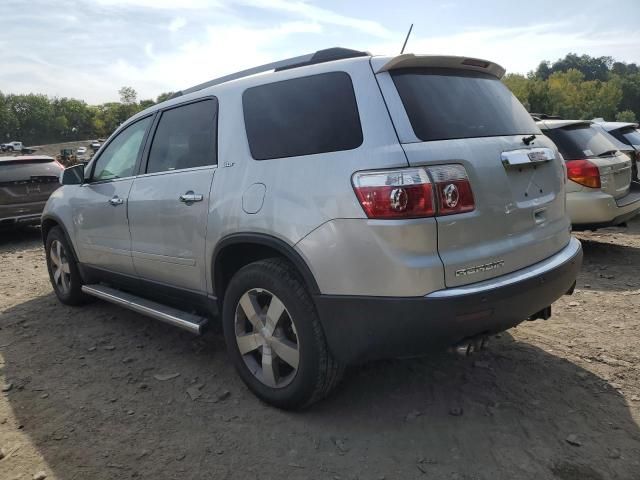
[(101, 393)]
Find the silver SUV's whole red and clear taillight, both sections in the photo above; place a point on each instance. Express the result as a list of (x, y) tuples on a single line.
[(414, 192)]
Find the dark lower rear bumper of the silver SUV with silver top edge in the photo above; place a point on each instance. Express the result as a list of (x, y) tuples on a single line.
[(360, 328)]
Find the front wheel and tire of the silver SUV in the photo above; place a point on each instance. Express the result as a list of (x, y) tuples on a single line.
[(63, 269)]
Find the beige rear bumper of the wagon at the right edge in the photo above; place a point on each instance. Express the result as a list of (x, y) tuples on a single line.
[(597, 209)]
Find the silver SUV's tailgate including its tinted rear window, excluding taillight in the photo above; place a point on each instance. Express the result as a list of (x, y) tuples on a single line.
[(469, 118)]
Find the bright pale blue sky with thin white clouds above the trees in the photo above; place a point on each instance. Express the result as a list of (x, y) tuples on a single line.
[(88, 49)]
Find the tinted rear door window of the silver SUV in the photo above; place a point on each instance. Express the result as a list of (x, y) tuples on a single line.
[(185, 138)]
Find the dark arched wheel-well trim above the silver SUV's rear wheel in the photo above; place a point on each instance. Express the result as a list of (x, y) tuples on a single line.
[(239, 249)]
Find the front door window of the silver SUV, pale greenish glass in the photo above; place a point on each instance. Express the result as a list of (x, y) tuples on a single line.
[(119, 157)]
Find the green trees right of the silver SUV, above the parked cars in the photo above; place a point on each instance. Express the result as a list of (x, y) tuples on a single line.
[(581, 87)]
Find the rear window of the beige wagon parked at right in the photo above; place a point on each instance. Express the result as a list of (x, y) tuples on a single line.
[(580, 141)]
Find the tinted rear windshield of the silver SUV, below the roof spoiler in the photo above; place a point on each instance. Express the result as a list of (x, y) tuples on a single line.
[(445, 104)]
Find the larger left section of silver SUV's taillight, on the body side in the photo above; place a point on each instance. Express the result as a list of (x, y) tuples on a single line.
[(387, 194)]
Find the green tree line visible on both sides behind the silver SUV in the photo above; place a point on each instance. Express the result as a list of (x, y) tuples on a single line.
[(576, 87)]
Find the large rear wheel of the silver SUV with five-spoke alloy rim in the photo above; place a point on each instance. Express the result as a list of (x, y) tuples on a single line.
[(274, 336)]
